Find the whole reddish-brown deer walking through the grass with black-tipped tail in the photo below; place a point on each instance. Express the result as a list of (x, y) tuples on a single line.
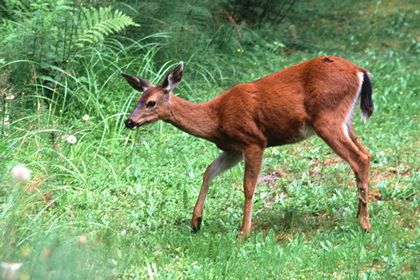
[(314, 97)]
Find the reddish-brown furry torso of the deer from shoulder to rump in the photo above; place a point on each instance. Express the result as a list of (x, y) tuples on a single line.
[(280, 108)]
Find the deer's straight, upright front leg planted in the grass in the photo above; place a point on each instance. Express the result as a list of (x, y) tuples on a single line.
[(253, 161)]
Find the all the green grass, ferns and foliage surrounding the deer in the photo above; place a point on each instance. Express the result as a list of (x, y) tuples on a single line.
[(106, 203)]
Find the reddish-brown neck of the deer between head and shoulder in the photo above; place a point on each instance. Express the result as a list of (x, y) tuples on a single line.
[(199, 120)]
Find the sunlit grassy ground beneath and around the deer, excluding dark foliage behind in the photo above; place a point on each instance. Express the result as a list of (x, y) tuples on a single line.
[(116, 204)]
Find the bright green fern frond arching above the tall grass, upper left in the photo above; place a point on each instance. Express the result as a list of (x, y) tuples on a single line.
[(96, 24)]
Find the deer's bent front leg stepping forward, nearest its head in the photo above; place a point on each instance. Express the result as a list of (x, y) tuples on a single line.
[(225, 161)]
